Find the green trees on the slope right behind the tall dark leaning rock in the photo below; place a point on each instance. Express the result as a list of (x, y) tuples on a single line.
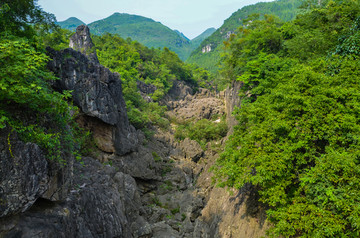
[(154, 67)]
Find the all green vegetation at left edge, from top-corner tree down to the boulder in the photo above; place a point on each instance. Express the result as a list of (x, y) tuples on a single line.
[(28, 105)]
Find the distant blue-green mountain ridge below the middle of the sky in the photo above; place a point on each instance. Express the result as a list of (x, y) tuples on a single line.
[(142, 29)]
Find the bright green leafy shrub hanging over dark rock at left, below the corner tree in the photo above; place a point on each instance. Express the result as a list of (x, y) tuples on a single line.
[(25, 88)]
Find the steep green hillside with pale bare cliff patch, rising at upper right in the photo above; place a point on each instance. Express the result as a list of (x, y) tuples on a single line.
[(207, 55)]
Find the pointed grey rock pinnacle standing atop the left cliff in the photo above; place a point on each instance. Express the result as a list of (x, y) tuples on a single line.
[(81, 41)]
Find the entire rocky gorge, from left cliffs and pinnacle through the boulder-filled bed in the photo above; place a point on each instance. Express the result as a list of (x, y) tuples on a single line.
[(130, 186)]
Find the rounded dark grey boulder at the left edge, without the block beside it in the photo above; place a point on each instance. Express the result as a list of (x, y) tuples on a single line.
[(23, 176)]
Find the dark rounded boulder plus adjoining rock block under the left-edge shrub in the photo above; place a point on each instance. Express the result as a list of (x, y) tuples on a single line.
[(26, 175)]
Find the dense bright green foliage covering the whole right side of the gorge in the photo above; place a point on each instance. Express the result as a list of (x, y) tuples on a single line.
[(297, 139)]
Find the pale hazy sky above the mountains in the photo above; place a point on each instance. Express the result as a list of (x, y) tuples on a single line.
[(191, 17)]
